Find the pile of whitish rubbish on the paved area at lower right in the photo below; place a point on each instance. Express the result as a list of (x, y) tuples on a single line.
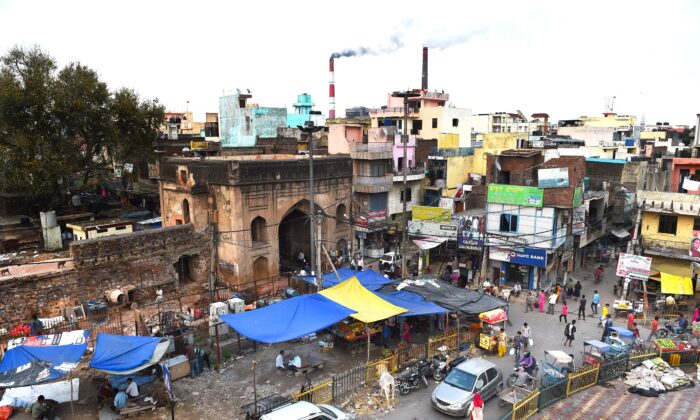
[(655, 376)]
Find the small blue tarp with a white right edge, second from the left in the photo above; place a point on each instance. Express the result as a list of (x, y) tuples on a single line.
[(122, 355)]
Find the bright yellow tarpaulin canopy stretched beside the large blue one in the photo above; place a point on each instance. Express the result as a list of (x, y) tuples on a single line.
[(369, 307)]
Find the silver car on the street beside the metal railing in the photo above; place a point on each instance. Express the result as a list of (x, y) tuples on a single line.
[(455, 393)]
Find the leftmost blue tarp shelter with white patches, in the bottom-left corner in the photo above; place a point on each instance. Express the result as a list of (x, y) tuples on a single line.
[(37, 359)]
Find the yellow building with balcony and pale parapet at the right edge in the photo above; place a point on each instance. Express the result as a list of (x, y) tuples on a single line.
[(670, 235)]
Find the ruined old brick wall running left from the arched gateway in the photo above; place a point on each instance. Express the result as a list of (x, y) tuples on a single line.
[(144, 259)]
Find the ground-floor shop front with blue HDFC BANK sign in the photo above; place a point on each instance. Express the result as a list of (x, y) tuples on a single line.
[(518, 265)]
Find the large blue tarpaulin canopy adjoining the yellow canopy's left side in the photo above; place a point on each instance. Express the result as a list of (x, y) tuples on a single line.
[(288, 319)]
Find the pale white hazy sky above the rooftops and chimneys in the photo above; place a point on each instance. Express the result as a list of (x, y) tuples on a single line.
[(559, 57)]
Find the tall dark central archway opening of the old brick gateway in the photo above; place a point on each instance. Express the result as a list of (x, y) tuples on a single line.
[(294, 236)]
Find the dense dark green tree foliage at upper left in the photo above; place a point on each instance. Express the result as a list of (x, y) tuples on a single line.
[(57, 125)]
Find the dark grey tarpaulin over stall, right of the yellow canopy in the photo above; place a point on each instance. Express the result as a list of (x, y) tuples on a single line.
[(468, 302)]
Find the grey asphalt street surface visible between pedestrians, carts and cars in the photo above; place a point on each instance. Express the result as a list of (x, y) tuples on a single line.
[(548, 334)]
